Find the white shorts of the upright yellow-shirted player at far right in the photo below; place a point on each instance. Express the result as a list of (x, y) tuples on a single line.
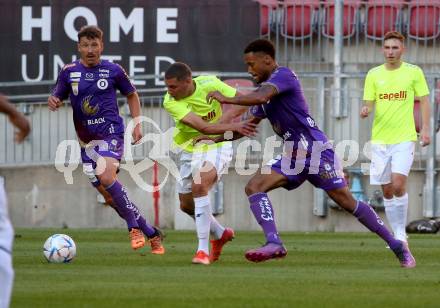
[(390, 158)]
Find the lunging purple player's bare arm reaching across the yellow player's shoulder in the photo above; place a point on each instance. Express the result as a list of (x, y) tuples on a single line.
[(257, 97)]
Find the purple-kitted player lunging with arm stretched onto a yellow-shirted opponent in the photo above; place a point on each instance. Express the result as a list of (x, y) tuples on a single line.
[(307, 153)]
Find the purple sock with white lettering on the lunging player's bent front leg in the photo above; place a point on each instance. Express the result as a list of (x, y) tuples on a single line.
[(263, 212)]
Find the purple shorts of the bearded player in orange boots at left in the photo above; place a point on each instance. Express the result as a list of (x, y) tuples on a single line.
[(111, 146)]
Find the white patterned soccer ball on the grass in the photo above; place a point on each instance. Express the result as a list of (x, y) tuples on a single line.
[(59, 248)]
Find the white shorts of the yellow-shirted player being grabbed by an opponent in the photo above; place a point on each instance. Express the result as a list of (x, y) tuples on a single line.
[(191, 163)]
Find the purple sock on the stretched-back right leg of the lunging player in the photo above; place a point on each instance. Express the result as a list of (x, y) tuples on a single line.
[(369, 218)]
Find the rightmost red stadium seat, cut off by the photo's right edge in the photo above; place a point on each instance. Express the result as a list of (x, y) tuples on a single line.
[(424, 19)]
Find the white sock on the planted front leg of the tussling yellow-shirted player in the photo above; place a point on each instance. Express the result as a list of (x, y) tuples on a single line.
[(202, 211)]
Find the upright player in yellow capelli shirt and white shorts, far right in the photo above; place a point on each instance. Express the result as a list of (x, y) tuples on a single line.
[(392, 88)]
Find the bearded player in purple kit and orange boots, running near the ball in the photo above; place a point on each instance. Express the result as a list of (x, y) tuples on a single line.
[(91, 85)]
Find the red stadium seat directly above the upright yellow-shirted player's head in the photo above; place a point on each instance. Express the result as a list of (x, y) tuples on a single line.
[(382, 16)]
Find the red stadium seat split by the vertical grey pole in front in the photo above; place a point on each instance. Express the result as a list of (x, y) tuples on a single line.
[(350, 18)]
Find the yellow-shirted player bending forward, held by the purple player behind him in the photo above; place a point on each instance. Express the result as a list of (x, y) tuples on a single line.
[(201, 165)]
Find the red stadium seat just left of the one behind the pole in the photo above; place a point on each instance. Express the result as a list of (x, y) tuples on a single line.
[(299, 18)]
